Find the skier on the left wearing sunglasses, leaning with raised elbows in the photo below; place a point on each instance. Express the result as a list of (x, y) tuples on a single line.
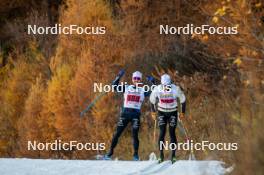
[(133, 98)]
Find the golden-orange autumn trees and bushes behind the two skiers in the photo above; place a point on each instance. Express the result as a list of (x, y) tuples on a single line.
[(45, 82)]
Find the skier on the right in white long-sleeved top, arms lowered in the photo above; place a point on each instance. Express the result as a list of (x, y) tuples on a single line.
[(164, 100)]
